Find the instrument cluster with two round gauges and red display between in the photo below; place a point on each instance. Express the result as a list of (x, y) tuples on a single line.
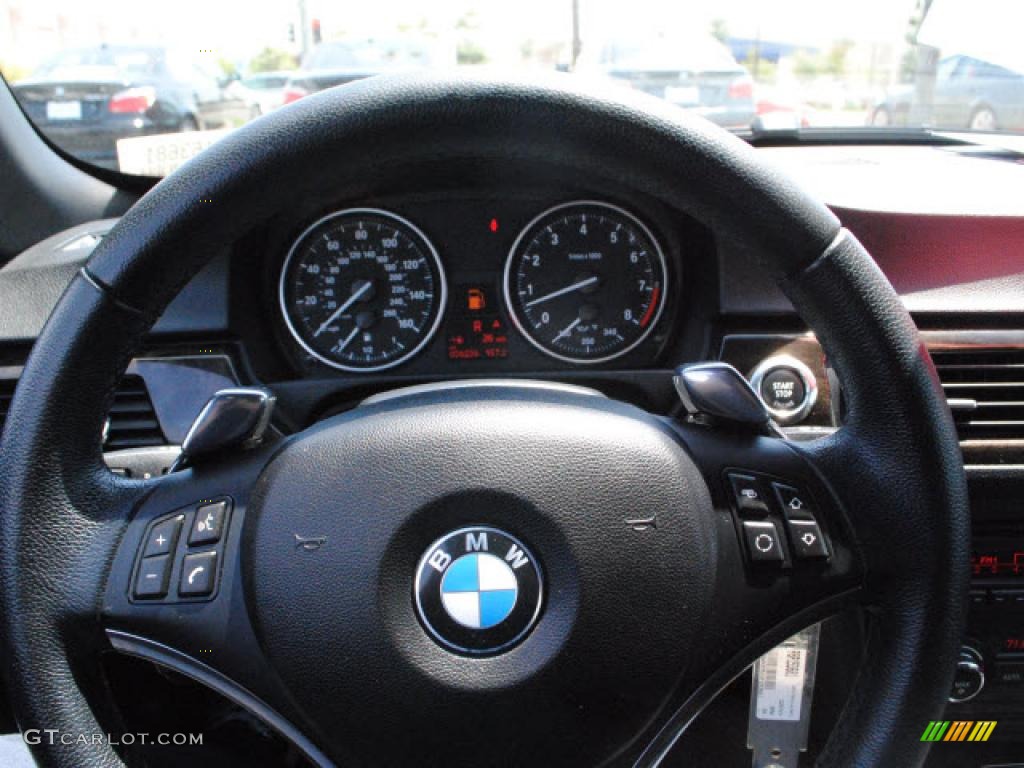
[(367, 289)]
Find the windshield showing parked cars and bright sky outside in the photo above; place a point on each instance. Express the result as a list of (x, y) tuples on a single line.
[(142, 88)]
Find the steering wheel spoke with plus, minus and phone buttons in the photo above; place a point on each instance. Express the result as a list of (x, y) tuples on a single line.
[(176, 591)]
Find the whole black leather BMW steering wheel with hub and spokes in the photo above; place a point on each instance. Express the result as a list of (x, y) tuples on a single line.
[(314, 625)]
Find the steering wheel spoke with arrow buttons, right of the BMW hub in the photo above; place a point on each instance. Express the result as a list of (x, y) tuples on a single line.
[(788, 558)]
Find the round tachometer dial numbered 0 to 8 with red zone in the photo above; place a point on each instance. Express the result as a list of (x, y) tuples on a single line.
[(586, 282)]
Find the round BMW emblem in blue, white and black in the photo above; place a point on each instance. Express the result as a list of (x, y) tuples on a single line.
[(479, 590)]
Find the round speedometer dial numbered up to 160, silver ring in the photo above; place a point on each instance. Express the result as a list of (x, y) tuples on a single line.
[(363, 290)]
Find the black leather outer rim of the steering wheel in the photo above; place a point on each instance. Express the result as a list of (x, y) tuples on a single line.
[(897, 463)]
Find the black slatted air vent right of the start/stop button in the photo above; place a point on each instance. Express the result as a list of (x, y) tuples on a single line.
[(986, 390)]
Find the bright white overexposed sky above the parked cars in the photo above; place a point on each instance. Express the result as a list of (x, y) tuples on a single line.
[(240, 28)]
